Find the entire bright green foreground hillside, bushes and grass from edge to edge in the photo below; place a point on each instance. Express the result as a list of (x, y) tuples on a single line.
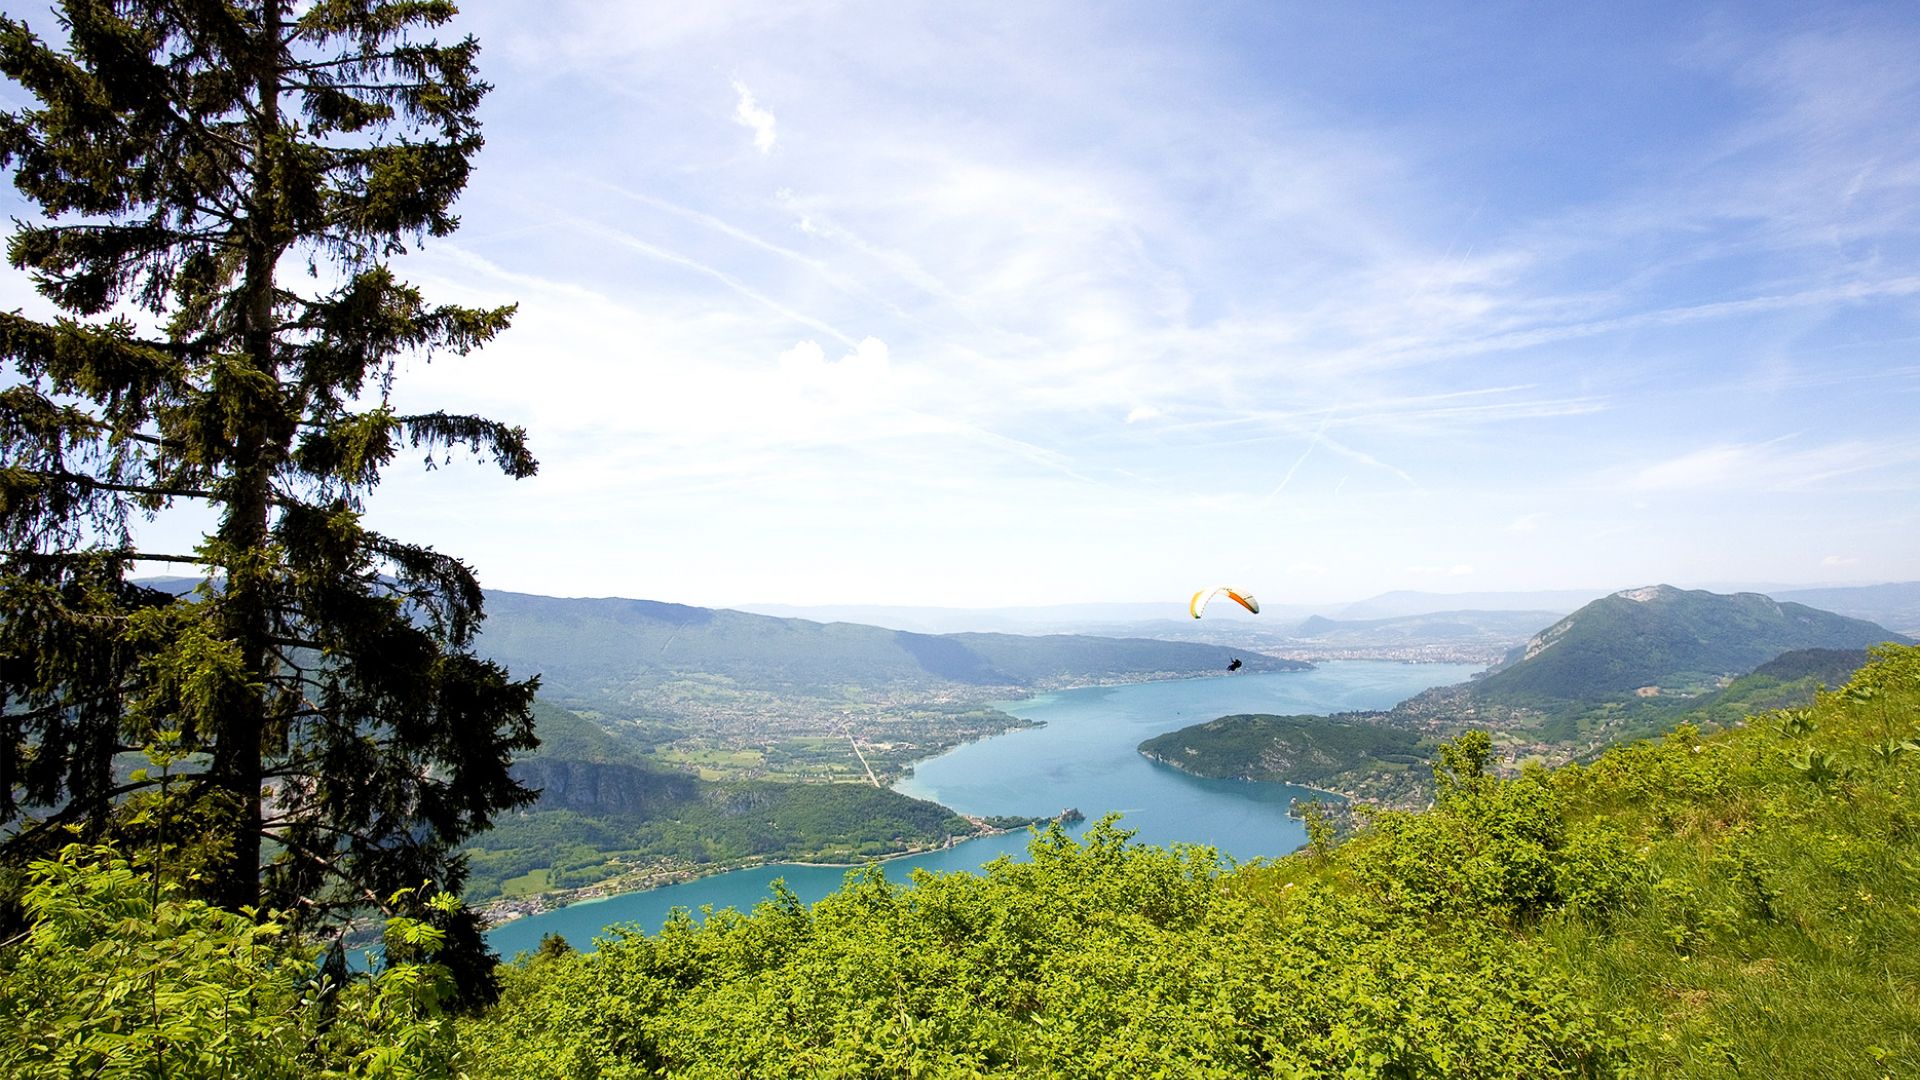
[(1679, 908)]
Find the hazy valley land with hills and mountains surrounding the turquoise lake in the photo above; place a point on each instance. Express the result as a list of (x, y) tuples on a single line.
[(683, 743)]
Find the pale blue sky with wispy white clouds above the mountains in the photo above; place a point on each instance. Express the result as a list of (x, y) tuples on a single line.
[(1003, 305)]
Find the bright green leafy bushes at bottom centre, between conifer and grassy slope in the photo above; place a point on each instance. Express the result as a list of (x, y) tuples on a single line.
[(1090, 960)]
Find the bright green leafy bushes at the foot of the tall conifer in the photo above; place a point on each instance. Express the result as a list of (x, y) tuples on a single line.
[(124, 977)]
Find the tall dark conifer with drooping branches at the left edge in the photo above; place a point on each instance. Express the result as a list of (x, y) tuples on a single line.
[(224, 185)]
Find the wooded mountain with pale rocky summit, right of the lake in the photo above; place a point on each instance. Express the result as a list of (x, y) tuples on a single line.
[(1669, 641)]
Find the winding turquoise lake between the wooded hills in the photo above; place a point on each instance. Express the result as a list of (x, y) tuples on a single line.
[(1082, 758)]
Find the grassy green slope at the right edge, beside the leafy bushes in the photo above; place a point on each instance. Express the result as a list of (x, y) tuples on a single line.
[(1773, 925)]
